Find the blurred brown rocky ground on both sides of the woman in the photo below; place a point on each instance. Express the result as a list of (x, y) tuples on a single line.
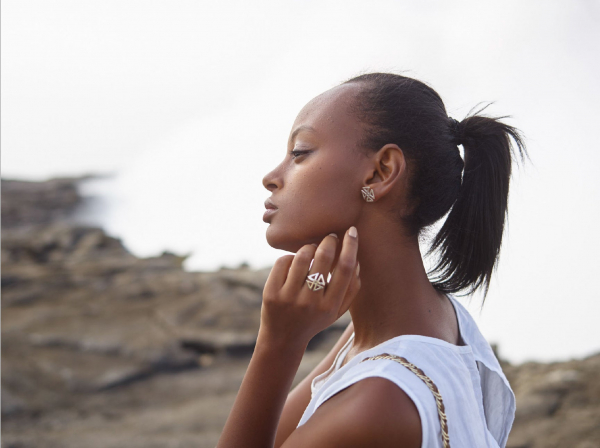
[(104, 349)]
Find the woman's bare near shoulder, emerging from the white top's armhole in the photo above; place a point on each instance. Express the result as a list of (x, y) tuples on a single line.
[(372, 412)]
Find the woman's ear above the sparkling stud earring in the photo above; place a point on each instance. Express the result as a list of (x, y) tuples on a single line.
[(389, 169)]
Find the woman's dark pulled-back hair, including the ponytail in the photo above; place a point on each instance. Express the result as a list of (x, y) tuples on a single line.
[(407, 112)]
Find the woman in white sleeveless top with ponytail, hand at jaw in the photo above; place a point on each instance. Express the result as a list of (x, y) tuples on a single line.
[(371, 164)]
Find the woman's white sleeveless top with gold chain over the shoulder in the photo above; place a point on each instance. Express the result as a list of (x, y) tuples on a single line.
[(479, 402)]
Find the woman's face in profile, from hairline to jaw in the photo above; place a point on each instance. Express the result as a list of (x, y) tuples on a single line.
[(316, 189)]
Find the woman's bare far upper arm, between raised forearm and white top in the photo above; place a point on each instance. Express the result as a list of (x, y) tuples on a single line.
[(299, 397)]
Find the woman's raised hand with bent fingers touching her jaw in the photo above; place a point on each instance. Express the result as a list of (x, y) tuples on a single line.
[(292, 313)]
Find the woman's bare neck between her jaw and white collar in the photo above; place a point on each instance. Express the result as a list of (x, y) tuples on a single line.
[(395, 297)]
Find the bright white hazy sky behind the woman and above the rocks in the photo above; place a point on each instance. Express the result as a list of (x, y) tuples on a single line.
[(184, 106)]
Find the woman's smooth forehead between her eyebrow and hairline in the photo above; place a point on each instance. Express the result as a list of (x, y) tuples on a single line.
[(329, 114)]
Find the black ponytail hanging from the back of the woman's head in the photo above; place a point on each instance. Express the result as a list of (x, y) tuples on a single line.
[(468, 244)]
